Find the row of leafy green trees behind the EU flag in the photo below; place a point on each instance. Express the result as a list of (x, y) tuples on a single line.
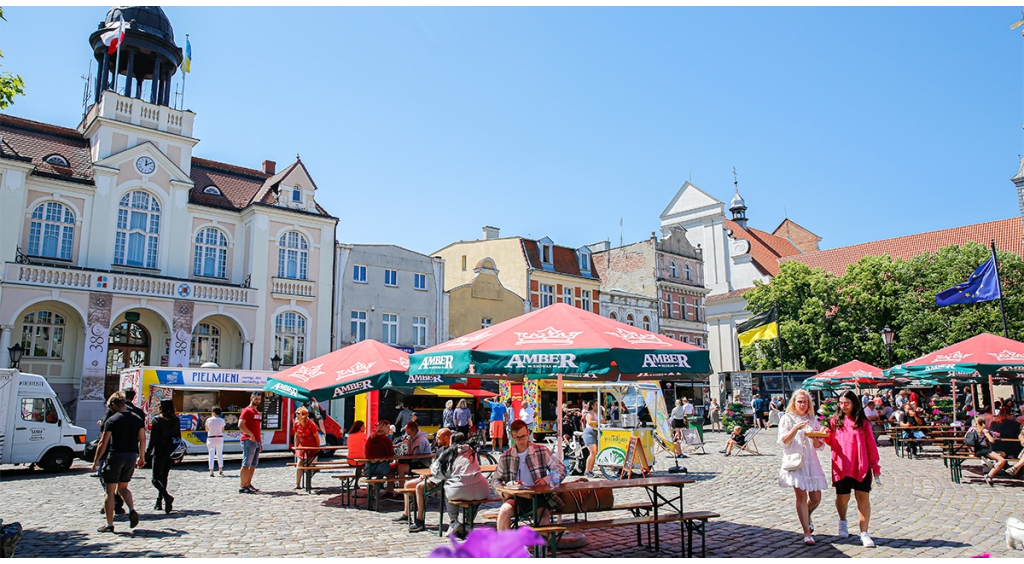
[(827, 321)]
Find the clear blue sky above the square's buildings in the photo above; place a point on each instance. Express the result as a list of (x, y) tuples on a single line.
[(420, 125)]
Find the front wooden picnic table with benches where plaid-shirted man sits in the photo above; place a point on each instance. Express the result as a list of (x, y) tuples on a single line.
[(541, 494)]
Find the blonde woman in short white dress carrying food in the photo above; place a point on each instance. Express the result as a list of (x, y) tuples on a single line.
[(807, 481)]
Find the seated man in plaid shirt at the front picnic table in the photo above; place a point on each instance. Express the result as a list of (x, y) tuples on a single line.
[(528, 464)]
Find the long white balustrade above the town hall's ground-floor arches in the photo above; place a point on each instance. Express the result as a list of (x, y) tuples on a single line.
[(56, 277)]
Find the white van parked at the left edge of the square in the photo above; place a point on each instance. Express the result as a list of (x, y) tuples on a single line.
[(34, 427)]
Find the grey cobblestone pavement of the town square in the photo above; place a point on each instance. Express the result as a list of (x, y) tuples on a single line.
[(916, 513)]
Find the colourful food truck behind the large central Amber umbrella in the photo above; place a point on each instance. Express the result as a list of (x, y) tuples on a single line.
[(614, 435)]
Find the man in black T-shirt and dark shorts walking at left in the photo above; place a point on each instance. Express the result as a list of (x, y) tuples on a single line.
[(124, 444)]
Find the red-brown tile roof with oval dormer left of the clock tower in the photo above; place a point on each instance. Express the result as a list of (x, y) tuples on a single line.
[(37, 141)]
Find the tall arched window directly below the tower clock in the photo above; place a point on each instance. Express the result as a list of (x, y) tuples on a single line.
[(139, 231)]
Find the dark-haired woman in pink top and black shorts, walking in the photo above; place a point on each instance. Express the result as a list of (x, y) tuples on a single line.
[(856, 460)]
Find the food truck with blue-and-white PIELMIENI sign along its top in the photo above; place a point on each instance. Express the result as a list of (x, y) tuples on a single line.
[(197, 392)]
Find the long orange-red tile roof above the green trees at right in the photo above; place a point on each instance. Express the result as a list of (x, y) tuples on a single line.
[(1007, 233)]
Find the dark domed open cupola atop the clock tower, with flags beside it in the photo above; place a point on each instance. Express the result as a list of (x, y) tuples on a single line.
[(149, 57)]
